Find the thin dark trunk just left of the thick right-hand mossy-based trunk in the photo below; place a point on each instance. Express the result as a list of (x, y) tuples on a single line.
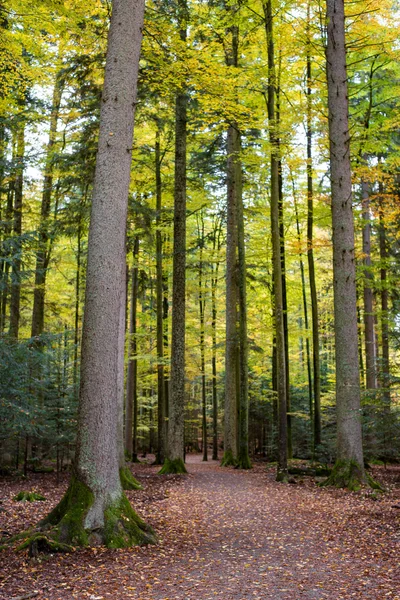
[(310, 250)]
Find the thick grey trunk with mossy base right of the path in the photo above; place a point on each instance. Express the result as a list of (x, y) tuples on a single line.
[(349, 468)]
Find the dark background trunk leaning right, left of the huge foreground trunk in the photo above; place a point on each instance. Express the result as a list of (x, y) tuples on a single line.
[(43, 252)]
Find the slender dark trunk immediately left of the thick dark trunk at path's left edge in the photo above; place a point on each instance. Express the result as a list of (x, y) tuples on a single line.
[(161, 441)]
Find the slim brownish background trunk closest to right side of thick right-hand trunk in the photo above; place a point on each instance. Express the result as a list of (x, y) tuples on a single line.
[(369, 318)]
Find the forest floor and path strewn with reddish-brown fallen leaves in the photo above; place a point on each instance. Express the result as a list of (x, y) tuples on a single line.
[(223, 534)]
